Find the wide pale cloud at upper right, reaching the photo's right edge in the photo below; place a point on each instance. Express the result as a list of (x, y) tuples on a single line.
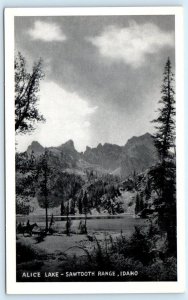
[(132, 44)]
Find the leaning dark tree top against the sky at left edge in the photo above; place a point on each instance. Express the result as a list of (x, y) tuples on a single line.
[(27, 86)]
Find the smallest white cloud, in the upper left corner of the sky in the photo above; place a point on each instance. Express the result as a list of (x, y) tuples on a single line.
[(47, 32)]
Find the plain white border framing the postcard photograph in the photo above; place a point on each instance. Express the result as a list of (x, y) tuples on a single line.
[(13, 287)]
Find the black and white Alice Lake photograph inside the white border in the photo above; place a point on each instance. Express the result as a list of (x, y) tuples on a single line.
[(95, 148)]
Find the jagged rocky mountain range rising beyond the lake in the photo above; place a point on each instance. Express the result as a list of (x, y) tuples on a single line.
[(136, 155)]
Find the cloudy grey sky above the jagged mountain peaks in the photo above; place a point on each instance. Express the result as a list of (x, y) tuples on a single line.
[(103, 75)]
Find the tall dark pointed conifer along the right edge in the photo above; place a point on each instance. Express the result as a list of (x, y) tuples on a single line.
[(164, 172)]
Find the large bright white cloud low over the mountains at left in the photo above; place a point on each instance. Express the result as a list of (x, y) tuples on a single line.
[(67, 117)]
